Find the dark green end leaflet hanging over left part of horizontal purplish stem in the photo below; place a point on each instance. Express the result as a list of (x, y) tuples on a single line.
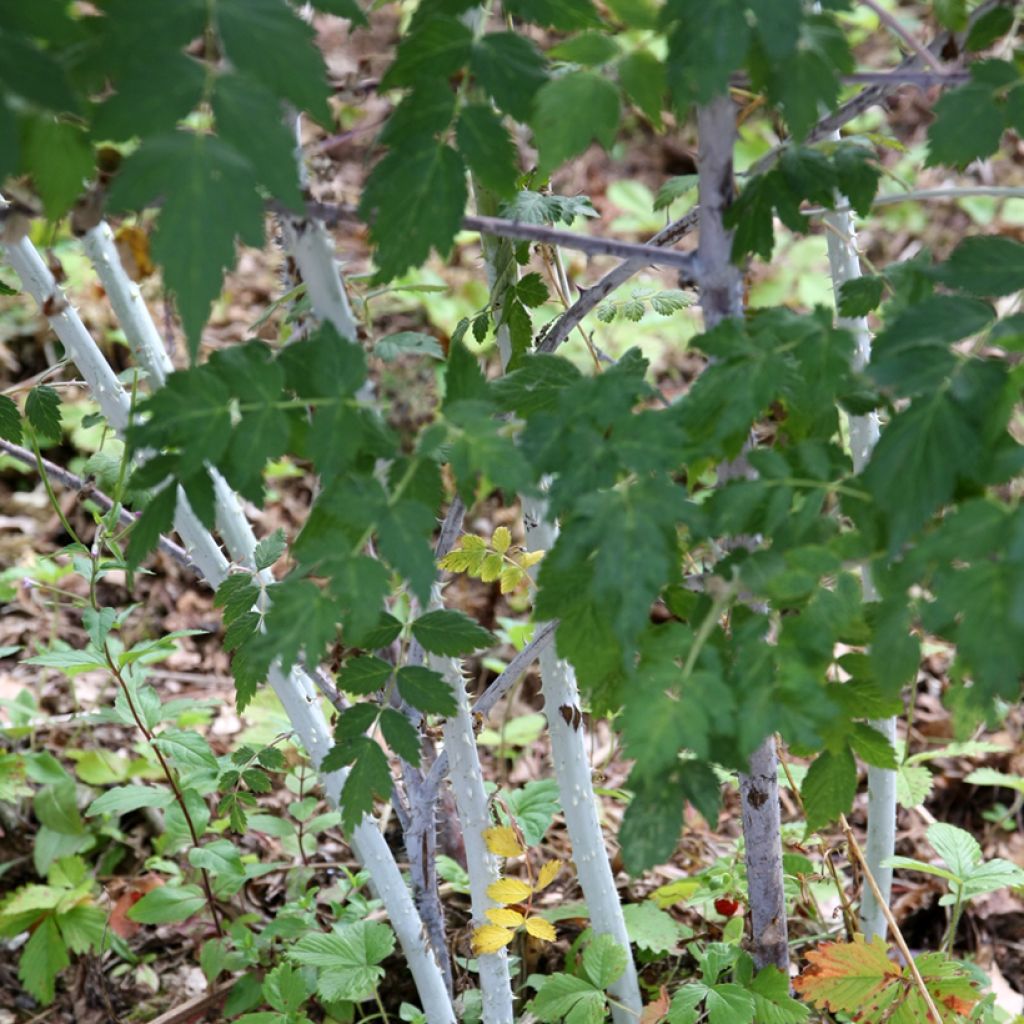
[(432, 181)]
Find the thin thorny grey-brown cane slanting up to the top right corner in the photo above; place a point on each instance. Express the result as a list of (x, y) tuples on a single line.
[(592, 297)]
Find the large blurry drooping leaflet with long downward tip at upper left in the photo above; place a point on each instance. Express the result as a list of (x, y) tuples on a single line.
[(210, 200)]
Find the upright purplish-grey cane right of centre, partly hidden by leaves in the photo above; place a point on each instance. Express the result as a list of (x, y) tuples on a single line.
[(722, 298)]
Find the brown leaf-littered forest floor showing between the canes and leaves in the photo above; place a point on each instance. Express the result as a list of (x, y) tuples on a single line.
[(34, 575)]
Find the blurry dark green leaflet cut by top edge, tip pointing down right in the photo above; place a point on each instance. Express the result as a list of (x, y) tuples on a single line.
[(267, 40)]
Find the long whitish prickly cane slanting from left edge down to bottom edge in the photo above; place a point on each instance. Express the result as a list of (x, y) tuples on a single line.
[(295, 692)]
